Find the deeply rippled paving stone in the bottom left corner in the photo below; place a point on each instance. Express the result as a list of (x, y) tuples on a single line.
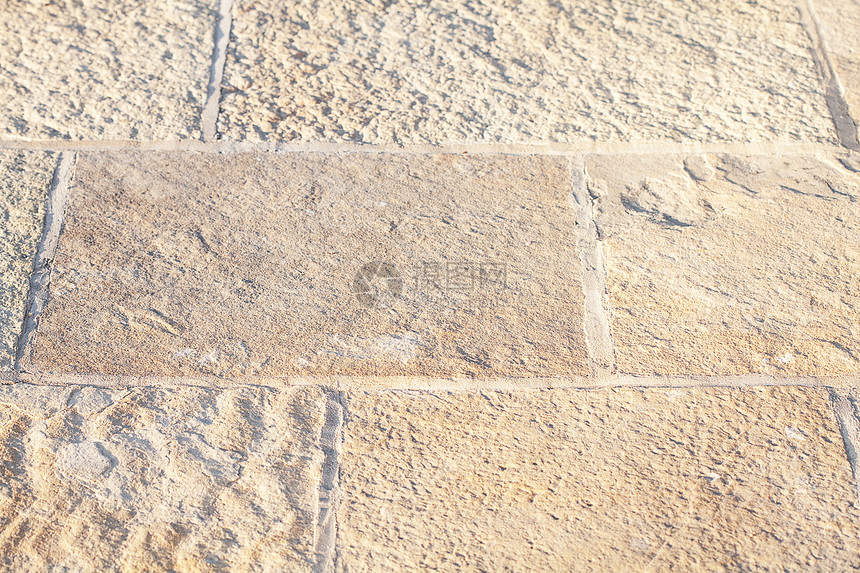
[(182, 479)]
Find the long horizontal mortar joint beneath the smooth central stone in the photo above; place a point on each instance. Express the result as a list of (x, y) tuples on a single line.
[(426, 383)]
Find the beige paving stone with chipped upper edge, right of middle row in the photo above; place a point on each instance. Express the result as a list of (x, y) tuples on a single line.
[(754, 270)]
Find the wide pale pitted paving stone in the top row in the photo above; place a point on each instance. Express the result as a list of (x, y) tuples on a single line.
[(454, 71)]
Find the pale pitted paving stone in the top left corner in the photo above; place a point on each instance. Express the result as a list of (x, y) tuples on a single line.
[(105, 69)]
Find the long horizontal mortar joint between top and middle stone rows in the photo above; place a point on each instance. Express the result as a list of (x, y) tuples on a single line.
[(564, 150)]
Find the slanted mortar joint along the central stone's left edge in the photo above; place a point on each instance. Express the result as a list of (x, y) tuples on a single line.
[(55, 209)]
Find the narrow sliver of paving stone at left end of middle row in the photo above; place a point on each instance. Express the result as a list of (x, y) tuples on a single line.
[(25, 178)]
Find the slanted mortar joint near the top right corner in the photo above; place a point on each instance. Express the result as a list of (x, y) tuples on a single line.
[(846, 129)]
